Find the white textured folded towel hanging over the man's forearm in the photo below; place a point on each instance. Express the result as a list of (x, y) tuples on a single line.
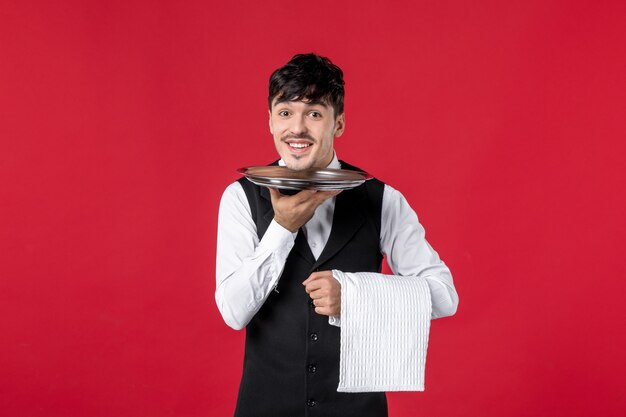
[(385, 322)]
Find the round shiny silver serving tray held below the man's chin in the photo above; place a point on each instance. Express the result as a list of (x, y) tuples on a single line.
[(309, 179)]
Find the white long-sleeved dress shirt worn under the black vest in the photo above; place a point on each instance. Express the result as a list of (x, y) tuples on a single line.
[(248, 269)]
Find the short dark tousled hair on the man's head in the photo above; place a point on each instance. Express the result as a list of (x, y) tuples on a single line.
[(311, 78)]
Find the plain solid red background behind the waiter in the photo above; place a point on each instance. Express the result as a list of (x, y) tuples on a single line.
[(122, 122)]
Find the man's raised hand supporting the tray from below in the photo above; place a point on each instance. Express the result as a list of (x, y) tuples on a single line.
[(292, 212)]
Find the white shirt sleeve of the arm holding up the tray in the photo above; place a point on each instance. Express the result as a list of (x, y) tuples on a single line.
[(247, 269)]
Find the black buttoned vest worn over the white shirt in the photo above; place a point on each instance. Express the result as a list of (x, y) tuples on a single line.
[(291, 362)]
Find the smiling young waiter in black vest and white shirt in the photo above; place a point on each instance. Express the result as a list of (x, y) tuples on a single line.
[(276, 254)]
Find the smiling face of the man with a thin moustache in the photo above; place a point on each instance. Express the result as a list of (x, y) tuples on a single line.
[(304, 133)]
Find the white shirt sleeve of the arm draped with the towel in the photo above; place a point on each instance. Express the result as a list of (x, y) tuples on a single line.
[(403, 241)]
